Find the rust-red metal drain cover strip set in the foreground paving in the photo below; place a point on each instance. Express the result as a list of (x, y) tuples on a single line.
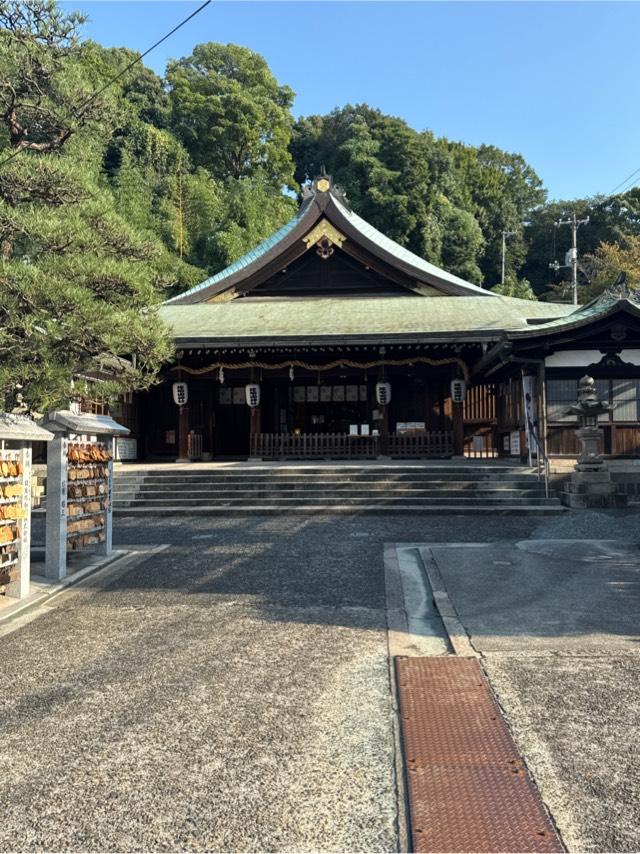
[(468, 787)]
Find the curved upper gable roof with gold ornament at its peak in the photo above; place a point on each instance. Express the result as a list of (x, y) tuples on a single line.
[(324, 202)]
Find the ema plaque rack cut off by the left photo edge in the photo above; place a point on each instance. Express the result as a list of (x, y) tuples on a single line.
[(17, 433)]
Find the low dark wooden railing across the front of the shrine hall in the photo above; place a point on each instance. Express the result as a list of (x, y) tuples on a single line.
[(308, 446)]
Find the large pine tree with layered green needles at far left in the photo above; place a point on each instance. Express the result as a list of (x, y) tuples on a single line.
[(77, 281)]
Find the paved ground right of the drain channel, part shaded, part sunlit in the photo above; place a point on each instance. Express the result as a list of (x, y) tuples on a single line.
[(557, 625)]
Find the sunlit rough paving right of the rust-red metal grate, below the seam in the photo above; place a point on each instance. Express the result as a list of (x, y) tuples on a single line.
[(577, 721)]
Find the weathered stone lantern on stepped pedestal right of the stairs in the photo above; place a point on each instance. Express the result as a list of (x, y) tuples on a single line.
[(590, 484)]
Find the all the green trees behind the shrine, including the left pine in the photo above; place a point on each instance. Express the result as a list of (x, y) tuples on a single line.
[(117, 194)]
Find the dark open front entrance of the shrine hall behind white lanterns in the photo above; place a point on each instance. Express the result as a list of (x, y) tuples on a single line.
[(304, 414)]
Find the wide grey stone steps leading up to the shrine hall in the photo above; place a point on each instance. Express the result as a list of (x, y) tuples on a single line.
[(348, 489)]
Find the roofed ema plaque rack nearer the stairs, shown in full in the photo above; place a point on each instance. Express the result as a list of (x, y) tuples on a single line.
[(79, 486)]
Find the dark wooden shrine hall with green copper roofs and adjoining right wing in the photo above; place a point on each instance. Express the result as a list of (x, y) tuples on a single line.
[(329, 340)]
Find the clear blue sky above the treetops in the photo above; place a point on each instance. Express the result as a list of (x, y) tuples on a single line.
[(556, 82)]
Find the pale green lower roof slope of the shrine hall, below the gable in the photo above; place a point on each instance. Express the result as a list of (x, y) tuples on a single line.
[(272, 321)]
